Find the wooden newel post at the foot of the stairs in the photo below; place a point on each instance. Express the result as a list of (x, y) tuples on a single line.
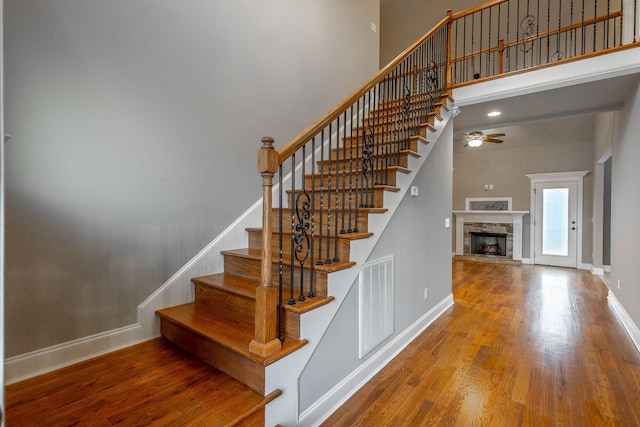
[(266, 341)]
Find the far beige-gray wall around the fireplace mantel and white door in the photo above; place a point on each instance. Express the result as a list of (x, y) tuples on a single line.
[(537, 147)]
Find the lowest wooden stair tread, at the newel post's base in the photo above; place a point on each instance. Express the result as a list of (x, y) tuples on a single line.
[(230, 334)]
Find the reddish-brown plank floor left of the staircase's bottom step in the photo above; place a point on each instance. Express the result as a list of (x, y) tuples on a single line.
[(152, 383)]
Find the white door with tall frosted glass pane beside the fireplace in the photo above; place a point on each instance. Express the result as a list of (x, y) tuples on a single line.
[(556, 223)]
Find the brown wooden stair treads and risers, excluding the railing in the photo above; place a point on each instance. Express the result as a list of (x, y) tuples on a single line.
[(219, 325)]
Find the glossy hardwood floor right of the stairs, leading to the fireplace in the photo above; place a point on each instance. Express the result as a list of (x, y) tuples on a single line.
[(522, 346)]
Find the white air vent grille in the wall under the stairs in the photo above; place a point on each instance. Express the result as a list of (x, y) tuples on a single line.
[(376, 303)]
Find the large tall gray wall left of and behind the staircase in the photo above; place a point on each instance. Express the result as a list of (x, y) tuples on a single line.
[(135, 128)]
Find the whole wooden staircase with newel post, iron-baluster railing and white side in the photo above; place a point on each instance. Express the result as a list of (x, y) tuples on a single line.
[(375, 141)]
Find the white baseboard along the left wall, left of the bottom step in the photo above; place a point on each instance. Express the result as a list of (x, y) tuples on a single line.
[(39, 362)]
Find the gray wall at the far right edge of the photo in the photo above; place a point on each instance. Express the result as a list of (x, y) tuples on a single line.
[(625, 205)]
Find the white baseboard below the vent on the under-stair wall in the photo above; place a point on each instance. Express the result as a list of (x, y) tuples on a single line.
[(339, 394)]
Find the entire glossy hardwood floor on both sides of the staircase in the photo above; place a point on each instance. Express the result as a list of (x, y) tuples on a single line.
[(534, 346)]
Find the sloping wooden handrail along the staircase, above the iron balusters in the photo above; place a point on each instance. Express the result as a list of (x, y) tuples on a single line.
[(296, 143)]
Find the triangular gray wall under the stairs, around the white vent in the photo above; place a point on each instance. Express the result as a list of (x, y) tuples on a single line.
[(421, 247)]
